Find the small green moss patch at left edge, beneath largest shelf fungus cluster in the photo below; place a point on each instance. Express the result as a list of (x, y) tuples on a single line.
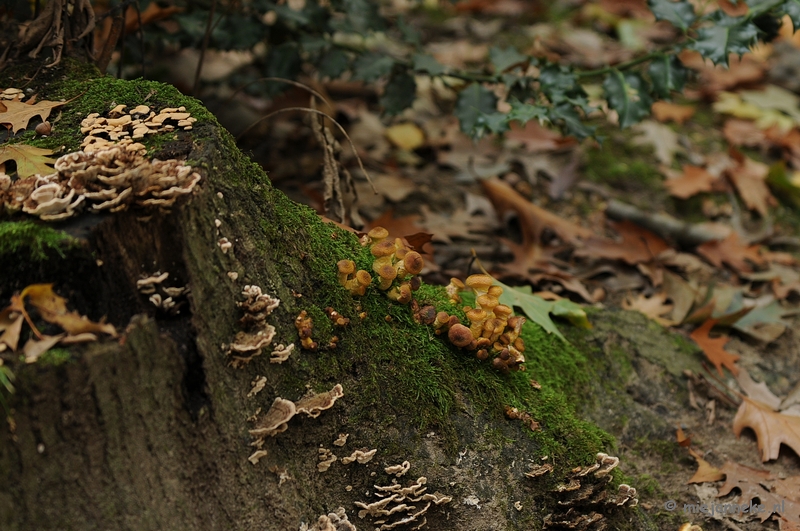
[(33, 239)]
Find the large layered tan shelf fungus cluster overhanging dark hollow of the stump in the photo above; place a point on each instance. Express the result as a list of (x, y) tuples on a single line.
[(108, 180)]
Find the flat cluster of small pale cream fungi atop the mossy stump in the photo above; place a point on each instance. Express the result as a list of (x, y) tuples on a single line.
[(132, 124)]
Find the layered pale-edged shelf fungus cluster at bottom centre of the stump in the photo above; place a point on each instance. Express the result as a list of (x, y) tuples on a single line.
[(398, 506)]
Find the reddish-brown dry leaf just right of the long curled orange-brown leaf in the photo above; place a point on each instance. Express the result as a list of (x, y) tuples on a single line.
[(638, 245)]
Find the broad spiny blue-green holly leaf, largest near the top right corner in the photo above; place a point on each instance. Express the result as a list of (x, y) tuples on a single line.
[(724, 36)]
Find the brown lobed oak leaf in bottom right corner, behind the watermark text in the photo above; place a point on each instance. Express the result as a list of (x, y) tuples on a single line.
[(776, 495)]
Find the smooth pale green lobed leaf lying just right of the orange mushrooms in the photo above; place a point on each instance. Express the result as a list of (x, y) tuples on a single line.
[(538, 310)]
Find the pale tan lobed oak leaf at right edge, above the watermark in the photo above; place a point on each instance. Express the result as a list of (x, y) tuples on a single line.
[(772, 428)]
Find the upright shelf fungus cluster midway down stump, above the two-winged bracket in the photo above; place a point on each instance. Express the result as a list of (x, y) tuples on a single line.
[(257, 333)]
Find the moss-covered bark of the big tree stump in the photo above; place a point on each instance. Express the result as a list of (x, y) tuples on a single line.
[(151, 432)]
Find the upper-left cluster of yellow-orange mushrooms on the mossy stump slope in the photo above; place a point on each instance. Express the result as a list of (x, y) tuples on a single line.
[(395, 264)]
